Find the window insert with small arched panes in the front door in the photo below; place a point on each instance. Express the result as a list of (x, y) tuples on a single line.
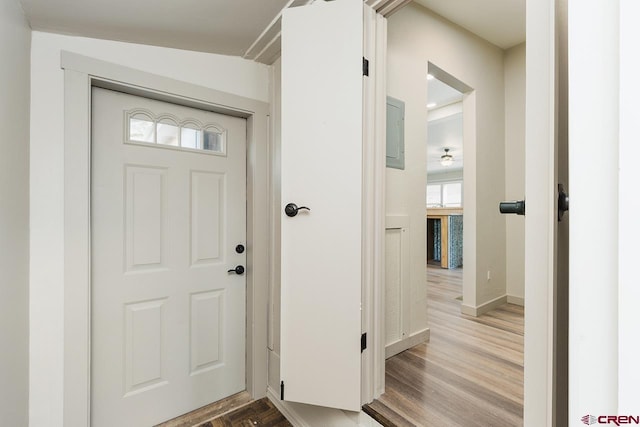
[(168, 131)]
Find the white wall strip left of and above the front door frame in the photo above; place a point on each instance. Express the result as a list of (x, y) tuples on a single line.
[(229, 74)]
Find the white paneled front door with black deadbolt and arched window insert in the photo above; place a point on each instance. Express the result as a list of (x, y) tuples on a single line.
[(168, 210)]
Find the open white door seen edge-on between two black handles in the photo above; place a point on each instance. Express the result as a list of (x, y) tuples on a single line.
[(546, 224)]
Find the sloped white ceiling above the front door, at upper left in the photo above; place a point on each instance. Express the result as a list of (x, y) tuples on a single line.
[(226, 27)]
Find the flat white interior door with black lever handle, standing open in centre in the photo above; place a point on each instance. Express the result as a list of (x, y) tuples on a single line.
[(322, 169)]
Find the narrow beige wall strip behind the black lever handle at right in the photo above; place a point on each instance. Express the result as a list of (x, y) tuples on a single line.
[(514, 131)]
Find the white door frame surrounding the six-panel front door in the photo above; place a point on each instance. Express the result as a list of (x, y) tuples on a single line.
[(80, 74)]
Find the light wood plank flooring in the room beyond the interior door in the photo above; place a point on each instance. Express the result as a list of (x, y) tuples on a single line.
[(469, 374)]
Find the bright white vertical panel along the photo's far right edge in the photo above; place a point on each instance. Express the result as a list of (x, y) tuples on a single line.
[(603, 168)]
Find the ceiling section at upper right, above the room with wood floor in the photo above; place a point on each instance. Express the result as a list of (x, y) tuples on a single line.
[(501, 22)]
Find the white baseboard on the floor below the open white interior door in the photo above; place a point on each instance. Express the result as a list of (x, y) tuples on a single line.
[(301, 415)]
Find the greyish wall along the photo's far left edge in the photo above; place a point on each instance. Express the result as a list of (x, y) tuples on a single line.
[(15, 40)]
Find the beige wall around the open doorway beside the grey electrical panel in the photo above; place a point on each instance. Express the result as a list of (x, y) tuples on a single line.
[(417, 37)]
